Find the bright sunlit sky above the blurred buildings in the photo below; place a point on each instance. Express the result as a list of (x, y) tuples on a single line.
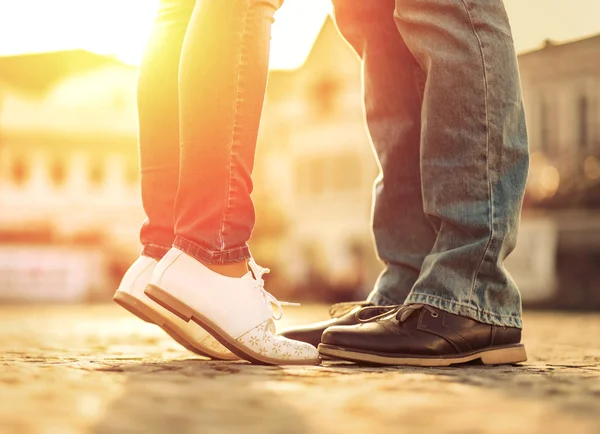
[(120, 27)]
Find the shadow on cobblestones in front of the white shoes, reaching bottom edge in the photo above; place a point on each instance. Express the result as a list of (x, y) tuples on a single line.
[(196, 396)]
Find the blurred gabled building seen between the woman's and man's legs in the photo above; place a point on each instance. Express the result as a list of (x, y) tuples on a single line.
[(315, 158)]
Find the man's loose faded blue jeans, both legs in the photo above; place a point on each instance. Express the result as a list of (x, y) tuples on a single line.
[(445, 114)]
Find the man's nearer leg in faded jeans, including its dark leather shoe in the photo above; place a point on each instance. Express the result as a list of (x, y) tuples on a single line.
[(474, 160)]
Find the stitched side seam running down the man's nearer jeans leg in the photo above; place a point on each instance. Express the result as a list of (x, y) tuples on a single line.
[(487, 137)]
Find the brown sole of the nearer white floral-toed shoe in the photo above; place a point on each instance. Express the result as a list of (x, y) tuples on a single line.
[(187, 314)]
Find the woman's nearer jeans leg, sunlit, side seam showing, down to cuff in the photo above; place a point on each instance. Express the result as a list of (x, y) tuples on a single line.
[(222, 80)]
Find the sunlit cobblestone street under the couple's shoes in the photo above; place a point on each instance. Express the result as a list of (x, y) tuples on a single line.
[(96, 369)]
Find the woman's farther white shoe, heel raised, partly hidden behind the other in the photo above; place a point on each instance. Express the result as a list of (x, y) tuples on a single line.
[(131, 296)]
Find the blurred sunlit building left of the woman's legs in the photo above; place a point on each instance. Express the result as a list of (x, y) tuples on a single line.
[(68, 166)]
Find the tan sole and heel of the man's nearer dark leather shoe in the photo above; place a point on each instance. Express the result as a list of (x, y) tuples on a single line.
[(505, 355)]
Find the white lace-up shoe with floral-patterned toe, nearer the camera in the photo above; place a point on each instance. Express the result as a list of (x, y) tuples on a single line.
[(236, 311)]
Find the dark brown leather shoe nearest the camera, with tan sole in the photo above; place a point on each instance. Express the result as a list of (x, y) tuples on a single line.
[(421, 335)]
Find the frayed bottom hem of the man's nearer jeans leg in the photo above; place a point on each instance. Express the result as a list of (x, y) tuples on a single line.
[(463, 309)]
